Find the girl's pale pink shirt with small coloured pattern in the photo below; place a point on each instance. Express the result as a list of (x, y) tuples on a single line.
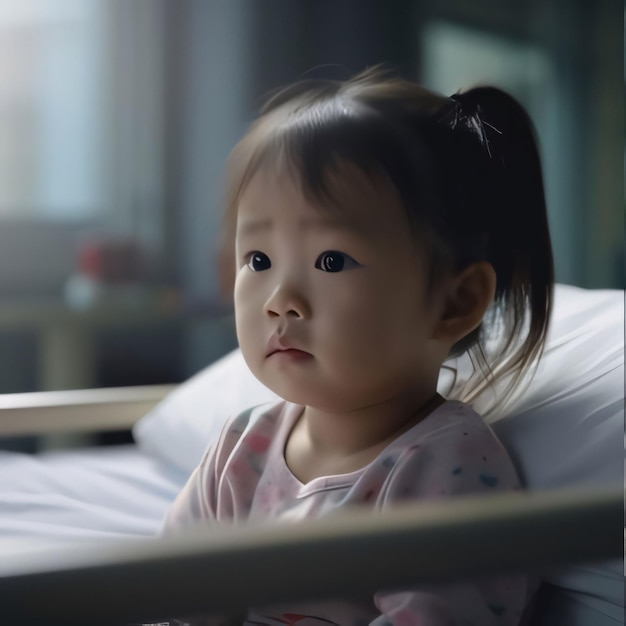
[(451, 452)]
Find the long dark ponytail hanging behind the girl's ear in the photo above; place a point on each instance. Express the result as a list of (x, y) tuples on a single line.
[(509, 208)]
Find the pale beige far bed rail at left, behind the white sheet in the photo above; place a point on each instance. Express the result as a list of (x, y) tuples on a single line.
[(83, 410)]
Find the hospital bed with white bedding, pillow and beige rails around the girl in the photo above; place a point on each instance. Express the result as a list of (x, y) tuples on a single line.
[(78, 526)]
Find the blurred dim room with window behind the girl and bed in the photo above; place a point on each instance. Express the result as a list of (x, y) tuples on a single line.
[(116, 117)]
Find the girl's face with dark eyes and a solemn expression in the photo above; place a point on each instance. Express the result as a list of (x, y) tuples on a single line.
[(343, 287)]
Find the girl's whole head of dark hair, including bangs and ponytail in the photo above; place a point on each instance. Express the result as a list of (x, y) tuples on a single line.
[(466, 168)]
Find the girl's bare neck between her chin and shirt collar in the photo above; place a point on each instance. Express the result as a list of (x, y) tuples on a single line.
[(328, 444)]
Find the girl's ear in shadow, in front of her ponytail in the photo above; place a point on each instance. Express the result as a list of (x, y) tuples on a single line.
[(466, 300)]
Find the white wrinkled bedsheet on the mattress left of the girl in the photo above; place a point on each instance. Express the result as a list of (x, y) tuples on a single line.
[(70, 497)]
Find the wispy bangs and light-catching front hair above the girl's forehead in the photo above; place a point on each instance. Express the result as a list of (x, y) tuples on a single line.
[(314, 142)]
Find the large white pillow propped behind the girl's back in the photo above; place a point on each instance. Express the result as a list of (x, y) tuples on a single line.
[(565, 430)]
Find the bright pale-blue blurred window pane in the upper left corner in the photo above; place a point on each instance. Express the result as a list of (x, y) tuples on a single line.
[(52, 105)]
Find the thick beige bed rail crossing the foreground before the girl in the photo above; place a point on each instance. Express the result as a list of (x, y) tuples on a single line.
[(210, 570)]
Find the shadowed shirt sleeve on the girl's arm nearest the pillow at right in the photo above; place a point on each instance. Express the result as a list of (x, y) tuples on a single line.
[(455, 461)]
